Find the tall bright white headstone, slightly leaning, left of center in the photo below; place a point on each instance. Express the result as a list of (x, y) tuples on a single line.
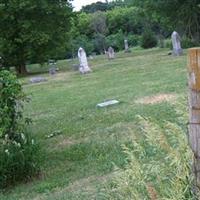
[(83, 67)]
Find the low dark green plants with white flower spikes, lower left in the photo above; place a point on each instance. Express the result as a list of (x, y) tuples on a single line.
[(19, 160)]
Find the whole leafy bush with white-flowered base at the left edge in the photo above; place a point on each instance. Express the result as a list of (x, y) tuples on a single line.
[(18, 151)]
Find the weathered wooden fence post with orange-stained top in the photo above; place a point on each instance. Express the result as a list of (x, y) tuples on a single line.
[(194, 109)]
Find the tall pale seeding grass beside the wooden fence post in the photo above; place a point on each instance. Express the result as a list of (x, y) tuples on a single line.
[(159, 163)]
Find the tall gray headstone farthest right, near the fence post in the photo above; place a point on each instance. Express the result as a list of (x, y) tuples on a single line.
[(177, 50)]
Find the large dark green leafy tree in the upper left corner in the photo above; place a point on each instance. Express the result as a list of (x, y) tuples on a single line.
[(32, 30)]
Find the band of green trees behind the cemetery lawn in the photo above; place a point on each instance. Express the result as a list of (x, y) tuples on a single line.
[(33, 31)]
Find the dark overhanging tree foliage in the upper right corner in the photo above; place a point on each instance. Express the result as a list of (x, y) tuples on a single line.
[(183, 15)]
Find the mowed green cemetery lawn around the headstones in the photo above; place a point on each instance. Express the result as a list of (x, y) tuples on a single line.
[(79, 161)]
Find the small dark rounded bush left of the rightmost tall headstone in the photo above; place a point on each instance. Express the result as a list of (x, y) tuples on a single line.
[(148, 40)]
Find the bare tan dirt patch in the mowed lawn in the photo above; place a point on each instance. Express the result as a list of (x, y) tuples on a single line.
[(159, 98)]
